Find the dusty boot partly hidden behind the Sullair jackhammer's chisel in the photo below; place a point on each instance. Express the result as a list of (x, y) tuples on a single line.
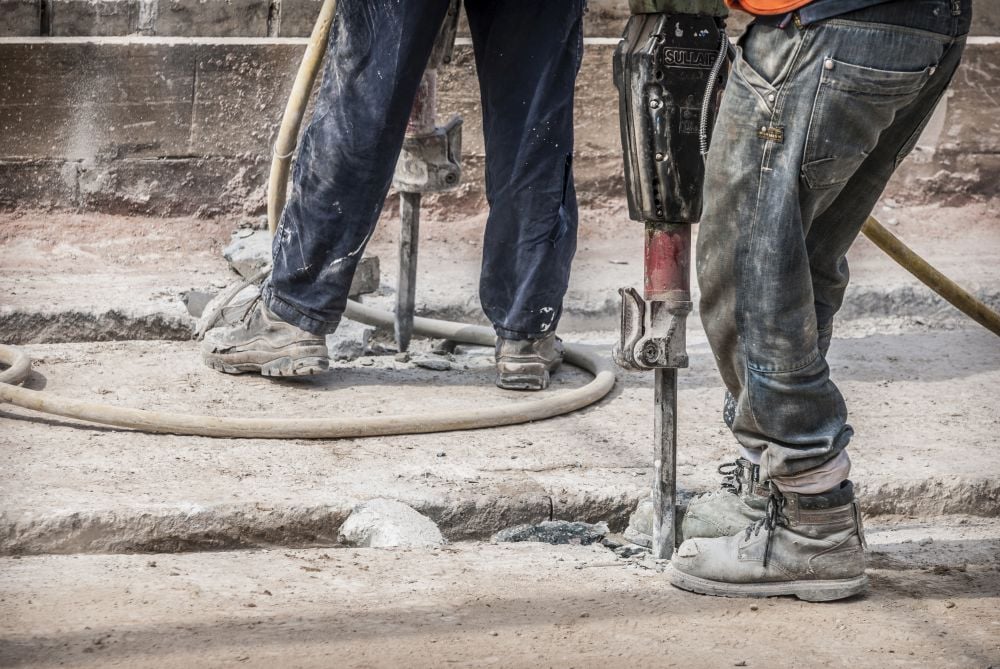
[(739, 501)]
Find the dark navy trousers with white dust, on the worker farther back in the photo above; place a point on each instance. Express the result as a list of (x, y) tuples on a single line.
[(527, 57)]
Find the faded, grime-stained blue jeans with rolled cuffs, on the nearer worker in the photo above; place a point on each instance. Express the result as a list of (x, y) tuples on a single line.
[(812, 124)]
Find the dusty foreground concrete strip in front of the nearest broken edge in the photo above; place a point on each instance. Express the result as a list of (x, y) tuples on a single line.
[(935, 585)]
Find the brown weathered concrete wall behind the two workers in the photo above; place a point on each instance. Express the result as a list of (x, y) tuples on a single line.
[(172, 126)]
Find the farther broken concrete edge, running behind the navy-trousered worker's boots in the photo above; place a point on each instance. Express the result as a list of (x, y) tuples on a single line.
[(19, 327)]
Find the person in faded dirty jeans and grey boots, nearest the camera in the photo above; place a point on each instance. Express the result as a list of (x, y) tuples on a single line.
[(824, 101)]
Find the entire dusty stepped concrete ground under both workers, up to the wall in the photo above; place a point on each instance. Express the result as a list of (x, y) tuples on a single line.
[(114, 541)]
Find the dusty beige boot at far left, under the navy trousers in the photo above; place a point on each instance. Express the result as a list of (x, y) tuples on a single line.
[(265, 344)]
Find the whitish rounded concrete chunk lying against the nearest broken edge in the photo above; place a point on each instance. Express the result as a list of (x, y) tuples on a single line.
[(388, 523)]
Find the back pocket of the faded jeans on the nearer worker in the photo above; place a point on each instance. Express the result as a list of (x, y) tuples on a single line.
[(853, 106)]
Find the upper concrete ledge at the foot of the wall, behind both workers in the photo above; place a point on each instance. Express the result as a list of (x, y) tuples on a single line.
[(65, 272)]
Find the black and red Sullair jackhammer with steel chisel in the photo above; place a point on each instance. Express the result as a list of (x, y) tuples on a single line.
[(668, 69)]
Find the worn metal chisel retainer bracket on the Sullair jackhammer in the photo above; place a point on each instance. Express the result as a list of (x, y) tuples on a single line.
[(652, 333)]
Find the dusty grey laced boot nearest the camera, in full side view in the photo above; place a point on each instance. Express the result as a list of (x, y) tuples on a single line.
[(809, 546)]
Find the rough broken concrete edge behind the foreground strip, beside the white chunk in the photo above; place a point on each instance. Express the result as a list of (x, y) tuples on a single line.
[(183, 528)]
